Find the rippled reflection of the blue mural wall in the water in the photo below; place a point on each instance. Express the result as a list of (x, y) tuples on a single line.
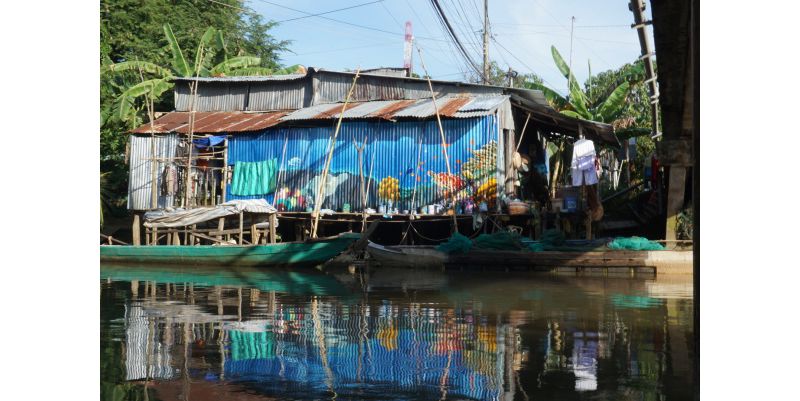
[(380, 348)]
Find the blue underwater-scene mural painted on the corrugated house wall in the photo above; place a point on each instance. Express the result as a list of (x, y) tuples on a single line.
[(403, 164)]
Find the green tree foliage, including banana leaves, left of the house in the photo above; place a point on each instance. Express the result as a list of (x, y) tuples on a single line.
[(135, 46)]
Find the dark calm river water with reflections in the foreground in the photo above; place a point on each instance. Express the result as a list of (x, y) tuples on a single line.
[(392, 334)]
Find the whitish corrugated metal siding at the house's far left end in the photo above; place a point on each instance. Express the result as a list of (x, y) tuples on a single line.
[(139, 182)]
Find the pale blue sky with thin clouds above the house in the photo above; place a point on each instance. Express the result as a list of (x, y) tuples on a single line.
[(522, 33)]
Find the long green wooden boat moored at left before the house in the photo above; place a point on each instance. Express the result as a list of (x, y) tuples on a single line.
[(310, 252)]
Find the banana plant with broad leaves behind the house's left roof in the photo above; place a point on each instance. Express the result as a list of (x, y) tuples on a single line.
[(160, 77)]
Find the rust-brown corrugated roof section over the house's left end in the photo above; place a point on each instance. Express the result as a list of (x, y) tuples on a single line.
[(212, 122)]
